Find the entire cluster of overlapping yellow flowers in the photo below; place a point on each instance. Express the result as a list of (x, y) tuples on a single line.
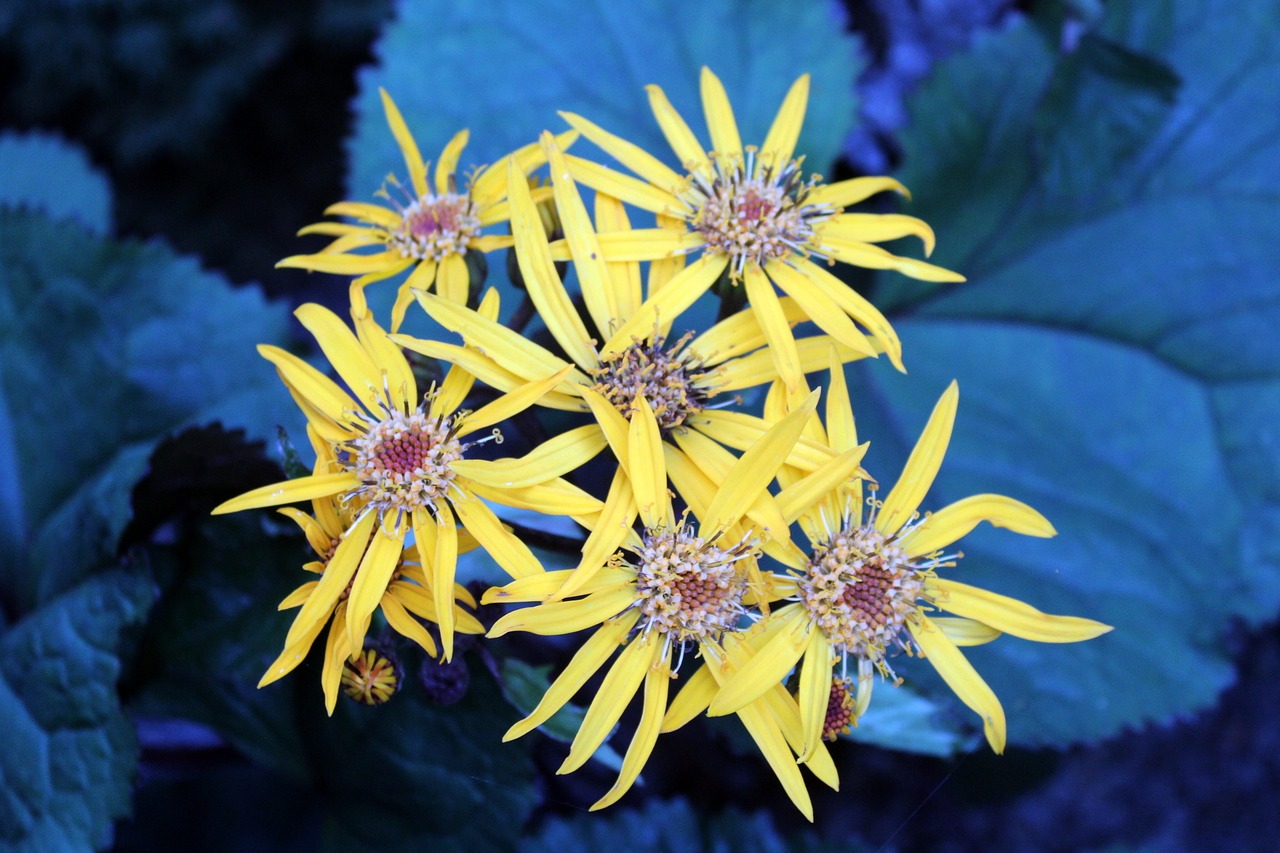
[(671, 573)]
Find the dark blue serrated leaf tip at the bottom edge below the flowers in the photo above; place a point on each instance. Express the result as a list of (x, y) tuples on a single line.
[(673, 827)]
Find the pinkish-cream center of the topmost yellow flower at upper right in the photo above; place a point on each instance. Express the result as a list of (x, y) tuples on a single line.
[(753, 212)]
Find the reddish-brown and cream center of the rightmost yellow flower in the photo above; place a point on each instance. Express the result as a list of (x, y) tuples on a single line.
[(861, 589)]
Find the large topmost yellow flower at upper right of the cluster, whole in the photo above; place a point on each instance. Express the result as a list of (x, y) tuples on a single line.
[(753, 213)]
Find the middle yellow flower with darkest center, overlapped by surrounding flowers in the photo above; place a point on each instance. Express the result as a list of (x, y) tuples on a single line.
[(679, 380)]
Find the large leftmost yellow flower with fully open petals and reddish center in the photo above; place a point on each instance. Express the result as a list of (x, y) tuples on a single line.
[(403, 466)]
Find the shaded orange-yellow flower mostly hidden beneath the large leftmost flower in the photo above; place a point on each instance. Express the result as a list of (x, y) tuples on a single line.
[(405, 596)]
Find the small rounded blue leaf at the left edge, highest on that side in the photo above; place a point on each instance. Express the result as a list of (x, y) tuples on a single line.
[(48, 175)]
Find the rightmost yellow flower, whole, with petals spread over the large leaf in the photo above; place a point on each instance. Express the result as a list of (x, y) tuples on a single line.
[(870, 586)]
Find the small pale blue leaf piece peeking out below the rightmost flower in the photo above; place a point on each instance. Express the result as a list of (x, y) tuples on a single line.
[(900, 719)]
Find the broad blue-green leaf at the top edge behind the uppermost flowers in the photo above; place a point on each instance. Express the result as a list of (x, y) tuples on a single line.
[(504, 70)]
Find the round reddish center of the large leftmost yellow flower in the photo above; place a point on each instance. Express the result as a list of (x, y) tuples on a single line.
[(405, 462)]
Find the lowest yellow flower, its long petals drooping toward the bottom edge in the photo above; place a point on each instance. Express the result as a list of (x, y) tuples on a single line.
[(673, 590)]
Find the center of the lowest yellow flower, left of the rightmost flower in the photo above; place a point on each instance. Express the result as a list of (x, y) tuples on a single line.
[(689, 589)]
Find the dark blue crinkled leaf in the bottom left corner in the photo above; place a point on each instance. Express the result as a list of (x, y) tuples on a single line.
[(70, 754)]
